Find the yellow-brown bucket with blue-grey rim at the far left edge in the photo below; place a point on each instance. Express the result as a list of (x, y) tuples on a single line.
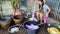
[(5, 22)]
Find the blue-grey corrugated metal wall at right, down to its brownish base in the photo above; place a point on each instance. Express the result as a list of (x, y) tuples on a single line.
[(55, 6)]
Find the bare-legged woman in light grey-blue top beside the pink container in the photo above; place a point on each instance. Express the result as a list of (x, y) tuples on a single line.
[(43, 10)]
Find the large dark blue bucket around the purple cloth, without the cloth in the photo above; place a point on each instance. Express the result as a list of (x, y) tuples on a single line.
[(30, 31)]
